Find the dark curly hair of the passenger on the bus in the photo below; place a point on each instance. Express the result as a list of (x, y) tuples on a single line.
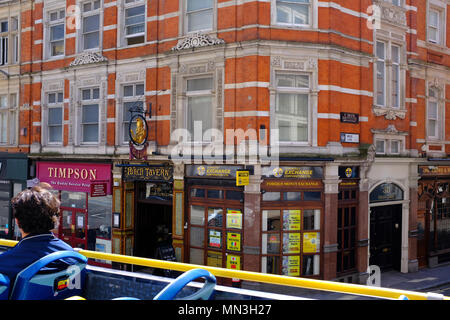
[(36, 209)]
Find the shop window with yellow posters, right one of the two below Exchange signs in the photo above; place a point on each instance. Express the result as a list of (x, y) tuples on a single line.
[(291, 241)]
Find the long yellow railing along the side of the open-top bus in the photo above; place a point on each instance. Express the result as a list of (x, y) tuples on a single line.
[(305, 283)]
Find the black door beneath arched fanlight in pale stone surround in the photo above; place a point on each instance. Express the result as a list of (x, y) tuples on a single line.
[(385, 236)]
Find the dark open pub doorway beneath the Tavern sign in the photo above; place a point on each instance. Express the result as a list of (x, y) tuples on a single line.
[(153, 220)]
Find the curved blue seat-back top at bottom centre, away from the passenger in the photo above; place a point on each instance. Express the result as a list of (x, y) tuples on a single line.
[(171, 290)]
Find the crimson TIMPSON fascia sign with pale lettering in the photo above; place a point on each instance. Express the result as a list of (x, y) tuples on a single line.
[(77, 177)]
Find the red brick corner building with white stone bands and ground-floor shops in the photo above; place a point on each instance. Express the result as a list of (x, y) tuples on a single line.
[(356, 91)]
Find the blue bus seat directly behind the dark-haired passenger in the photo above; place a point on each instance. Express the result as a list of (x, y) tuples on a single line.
[(30, 285)]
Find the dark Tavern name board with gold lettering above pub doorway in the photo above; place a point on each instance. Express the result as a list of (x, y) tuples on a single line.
[(142, 173)]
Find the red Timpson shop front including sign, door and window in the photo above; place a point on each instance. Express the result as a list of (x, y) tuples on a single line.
[(86, 202)]
